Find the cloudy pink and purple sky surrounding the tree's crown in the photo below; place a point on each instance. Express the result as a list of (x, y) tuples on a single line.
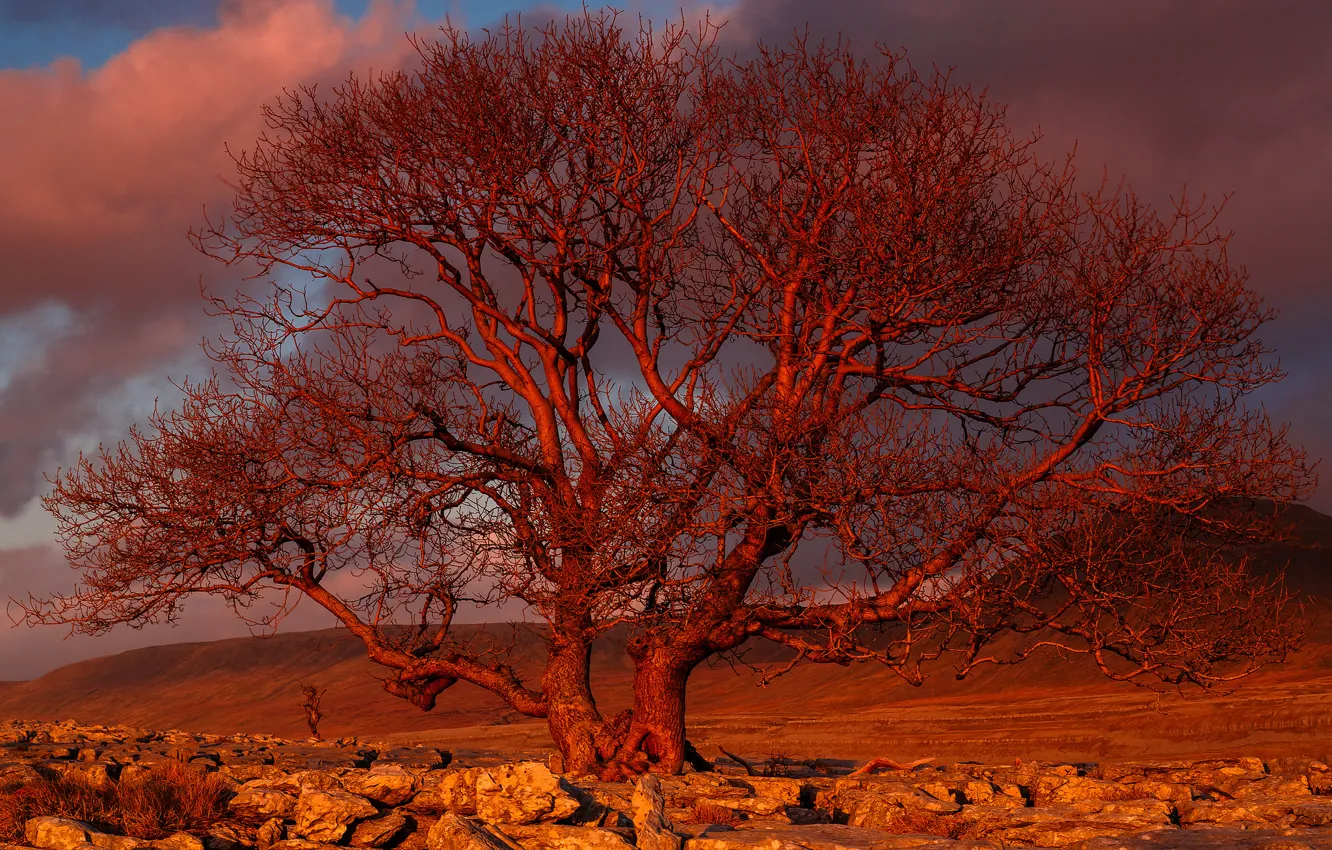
[(118, 113)]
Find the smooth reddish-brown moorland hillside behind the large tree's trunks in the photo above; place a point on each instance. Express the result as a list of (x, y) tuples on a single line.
[(1044, 709)]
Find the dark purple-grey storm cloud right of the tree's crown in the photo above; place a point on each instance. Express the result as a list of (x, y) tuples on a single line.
[(1230, 98)]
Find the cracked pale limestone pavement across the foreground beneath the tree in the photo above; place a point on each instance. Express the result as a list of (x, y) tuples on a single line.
[(306, 796)]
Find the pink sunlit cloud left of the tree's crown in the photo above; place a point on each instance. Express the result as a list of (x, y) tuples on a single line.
[(105, 181)]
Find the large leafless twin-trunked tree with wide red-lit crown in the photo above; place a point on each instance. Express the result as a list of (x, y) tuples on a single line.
[(808, 348)]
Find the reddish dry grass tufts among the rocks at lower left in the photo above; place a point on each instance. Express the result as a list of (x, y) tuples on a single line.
[(170, 799)]
